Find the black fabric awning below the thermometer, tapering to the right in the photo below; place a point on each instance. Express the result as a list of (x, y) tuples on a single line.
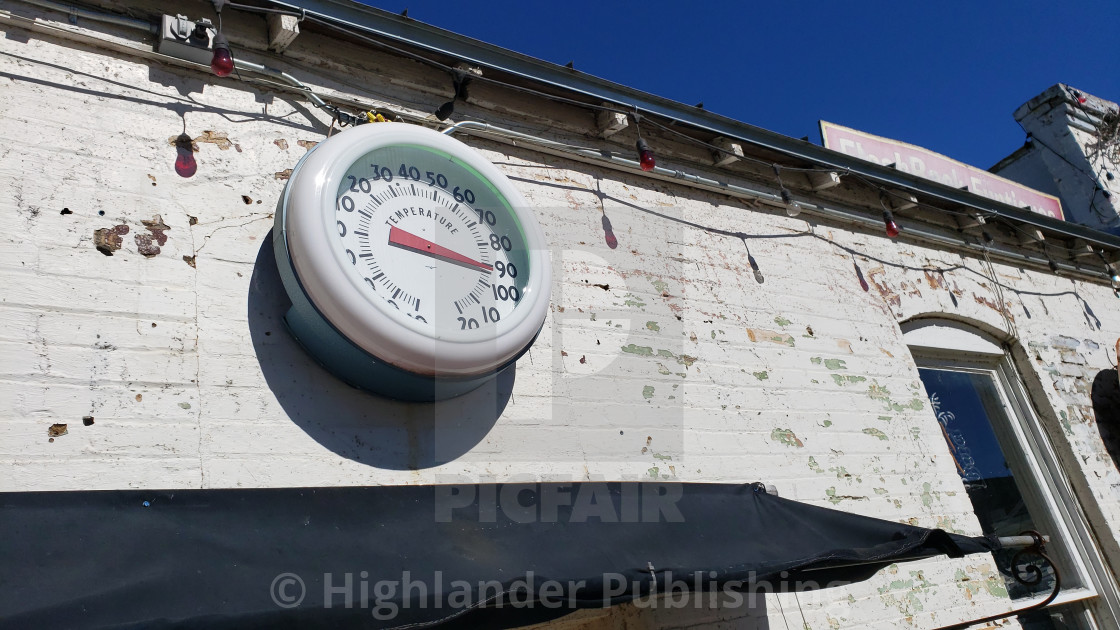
[(473, 555)]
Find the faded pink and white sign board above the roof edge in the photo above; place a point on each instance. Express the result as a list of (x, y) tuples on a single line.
[(938, 168)]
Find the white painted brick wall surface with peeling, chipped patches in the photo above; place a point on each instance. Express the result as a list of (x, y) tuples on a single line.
[(804, 382)]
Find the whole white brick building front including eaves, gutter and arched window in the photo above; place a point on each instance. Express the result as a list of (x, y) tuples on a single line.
[(741, 317)]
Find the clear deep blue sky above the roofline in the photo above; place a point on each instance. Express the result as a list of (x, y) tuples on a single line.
[(945, 76)]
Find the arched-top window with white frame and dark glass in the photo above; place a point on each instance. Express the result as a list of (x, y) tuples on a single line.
[(1011, 471)]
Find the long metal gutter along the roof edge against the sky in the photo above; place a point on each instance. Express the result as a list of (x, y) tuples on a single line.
[(425, 38)]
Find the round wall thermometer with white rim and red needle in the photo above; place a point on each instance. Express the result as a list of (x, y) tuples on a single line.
[(415, 268)]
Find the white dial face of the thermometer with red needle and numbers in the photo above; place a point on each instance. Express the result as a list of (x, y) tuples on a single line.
[(431, 244)]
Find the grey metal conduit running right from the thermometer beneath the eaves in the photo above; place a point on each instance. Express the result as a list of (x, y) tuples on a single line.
[(713, 186)]
